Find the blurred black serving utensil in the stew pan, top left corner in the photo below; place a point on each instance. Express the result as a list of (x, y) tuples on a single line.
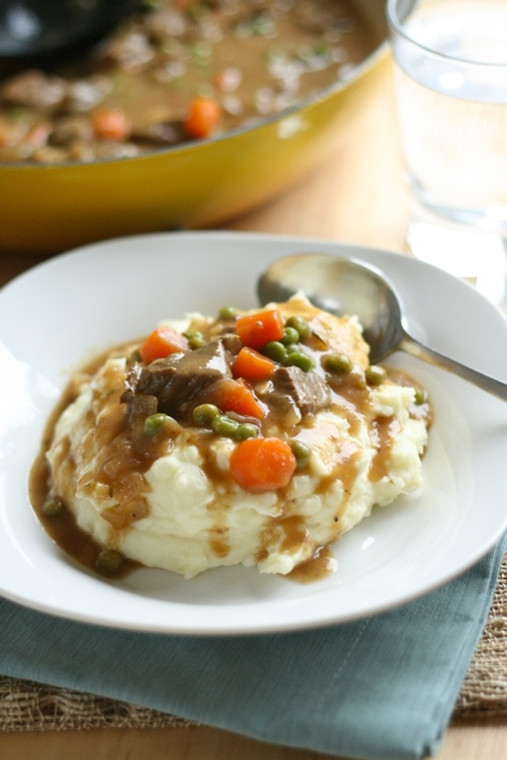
[(40, 30)]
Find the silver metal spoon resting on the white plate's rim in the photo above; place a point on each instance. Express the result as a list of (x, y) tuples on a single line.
[(347, 286)]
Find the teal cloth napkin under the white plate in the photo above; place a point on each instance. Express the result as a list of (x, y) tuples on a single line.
[(381, 688)]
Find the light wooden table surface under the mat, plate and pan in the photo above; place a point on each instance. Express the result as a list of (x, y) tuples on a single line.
[(356, 197)]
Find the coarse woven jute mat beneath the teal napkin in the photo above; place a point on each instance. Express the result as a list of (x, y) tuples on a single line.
[(27, 706)]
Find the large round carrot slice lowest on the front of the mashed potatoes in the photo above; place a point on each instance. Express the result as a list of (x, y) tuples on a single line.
[(262, 464)]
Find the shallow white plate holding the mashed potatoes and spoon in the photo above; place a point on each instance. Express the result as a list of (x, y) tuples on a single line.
[(63, 311)]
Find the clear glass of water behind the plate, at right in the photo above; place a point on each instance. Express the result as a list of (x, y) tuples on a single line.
[(451, 81)]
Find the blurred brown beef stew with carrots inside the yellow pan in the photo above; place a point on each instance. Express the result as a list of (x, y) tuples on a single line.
[(180, 70)]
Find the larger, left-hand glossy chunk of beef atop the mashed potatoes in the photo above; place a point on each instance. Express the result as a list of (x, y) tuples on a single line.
[(180, 378)]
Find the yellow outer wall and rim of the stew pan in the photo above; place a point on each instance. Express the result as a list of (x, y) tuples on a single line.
[(46, 209)]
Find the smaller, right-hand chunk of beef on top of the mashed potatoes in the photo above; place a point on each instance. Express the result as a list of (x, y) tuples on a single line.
[(308, 391)]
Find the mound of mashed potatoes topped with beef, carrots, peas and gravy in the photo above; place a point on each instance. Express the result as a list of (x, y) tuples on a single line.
[(146, 455)]
